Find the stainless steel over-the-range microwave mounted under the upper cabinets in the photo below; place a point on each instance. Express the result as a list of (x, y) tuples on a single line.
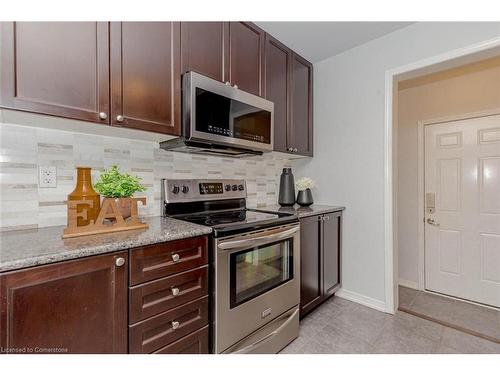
[(218, 118)]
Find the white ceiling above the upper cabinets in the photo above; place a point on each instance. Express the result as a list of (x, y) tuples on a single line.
[(317, 41)]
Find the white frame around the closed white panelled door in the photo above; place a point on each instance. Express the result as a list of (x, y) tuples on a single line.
[(421, 179)]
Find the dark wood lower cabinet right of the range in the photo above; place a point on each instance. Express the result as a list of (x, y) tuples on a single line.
[(320, 259)]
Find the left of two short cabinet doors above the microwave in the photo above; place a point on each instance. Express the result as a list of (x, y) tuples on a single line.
[(203, 45)]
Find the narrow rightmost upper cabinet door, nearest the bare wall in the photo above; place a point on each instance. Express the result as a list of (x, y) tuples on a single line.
[(300, 132)]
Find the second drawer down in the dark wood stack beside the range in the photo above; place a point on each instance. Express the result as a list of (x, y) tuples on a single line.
[(158, 296)]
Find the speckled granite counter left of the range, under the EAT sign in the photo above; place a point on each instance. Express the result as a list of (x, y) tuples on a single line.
[(26, 248)]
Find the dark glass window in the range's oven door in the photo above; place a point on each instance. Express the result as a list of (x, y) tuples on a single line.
[(258, 270)]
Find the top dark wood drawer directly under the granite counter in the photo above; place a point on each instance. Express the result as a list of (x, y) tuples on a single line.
[(155, 261)]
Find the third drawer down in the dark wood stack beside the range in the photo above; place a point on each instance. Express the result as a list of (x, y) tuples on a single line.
[(158, 331)]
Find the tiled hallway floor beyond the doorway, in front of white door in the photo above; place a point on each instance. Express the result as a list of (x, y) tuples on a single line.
[(476, 318)]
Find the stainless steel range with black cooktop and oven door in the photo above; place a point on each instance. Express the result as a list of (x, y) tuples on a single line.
[(255, 264)]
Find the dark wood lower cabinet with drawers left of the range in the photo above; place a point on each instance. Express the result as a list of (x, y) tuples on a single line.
[(80, 306)]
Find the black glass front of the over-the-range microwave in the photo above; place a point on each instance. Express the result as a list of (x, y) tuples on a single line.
[(216, 114)]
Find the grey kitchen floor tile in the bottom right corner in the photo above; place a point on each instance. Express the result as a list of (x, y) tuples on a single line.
[(465, 343)]
